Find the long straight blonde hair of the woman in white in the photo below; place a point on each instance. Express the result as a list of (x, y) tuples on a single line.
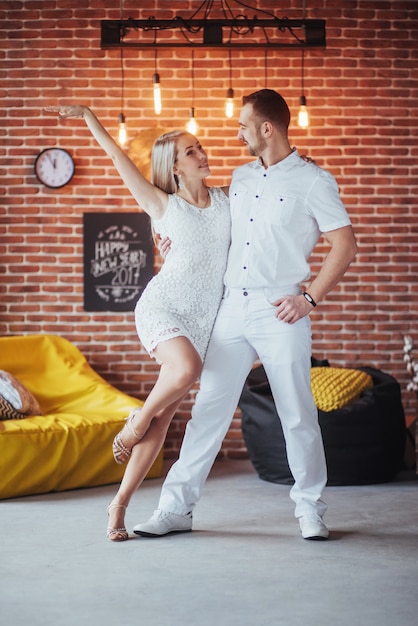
[(163, 158)]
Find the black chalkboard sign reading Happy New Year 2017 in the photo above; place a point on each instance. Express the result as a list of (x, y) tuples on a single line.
[(118, 260)]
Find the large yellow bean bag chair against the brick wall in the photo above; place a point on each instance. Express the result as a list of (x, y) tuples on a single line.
[(70, 444)]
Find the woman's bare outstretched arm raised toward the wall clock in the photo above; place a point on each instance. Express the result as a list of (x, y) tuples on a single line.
[(150, 198)]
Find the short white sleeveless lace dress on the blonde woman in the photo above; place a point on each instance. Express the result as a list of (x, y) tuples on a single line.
[(184, 297)]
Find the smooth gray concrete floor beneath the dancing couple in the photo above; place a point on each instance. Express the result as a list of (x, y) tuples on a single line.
[(245, 563)]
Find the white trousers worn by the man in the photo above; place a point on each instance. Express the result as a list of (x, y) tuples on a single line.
[(246, 328)]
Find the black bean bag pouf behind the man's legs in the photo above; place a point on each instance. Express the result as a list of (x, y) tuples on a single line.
[(364, 441)]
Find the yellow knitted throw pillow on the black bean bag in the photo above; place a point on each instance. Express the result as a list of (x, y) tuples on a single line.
[(334, 387)]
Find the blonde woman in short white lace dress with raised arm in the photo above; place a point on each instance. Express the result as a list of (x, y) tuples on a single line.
[(176, 311)]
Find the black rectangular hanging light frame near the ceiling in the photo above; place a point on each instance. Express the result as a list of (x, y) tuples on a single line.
[(302, 33)]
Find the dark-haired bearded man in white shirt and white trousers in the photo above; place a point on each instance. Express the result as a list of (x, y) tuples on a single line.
[(280, 206)]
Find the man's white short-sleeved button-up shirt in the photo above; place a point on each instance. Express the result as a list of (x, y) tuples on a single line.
[(278, 215)]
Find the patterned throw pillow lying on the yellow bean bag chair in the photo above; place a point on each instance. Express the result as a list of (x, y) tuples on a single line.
[(16, 401)]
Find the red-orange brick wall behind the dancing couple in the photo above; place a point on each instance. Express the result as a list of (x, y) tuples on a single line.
[(362, 92)]
